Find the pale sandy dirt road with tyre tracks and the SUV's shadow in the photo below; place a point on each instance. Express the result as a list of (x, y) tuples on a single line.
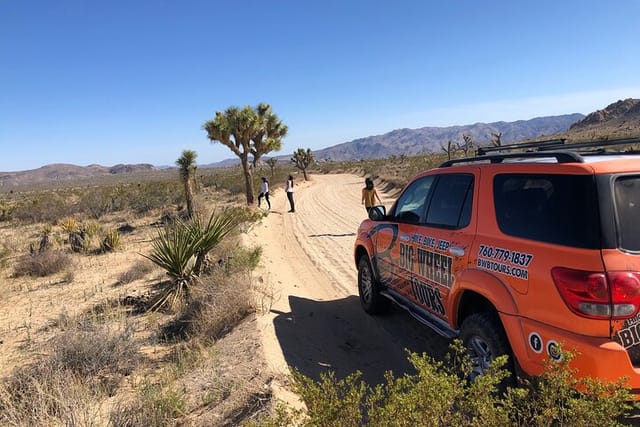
[(315, 323)]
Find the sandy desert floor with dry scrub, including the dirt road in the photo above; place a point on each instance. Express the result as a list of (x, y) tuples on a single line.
[(85, 345)]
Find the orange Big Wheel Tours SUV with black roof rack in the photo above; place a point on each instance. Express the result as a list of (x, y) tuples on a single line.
[(521, 250)]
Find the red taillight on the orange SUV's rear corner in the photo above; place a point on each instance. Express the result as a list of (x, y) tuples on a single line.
[(598, 295)]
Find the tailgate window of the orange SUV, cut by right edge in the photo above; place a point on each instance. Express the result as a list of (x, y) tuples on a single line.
[(627, 199)]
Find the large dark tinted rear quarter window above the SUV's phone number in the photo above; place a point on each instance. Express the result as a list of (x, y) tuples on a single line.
[(559, 209)]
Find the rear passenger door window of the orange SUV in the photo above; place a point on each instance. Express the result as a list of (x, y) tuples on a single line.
[(450, 205)]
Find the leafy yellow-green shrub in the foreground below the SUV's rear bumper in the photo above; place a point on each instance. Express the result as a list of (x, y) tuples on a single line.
[(439, 394)]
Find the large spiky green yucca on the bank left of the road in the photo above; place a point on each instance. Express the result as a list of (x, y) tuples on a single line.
[(180, 249)]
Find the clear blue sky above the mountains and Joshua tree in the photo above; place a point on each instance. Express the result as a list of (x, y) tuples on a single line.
[(118, 81)]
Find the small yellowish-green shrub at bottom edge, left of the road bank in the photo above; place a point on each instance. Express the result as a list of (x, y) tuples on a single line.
[(154, 405)]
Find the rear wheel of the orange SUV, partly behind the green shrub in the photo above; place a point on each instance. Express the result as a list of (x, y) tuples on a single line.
[(485, 340)]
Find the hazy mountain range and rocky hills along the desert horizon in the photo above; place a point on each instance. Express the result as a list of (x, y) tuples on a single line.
[(619, 119)]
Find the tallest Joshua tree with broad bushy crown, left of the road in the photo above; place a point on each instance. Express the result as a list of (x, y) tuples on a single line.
[(247, 132)]
